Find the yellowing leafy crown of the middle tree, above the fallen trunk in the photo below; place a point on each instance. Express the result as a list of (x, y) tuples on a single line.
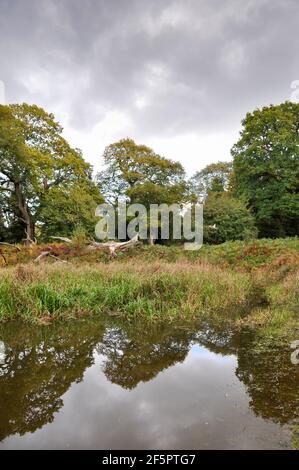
[(136, 173)]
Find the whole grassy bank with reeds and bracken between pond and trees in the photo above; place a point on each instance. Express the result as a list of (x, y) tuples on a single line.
[(253, 285)]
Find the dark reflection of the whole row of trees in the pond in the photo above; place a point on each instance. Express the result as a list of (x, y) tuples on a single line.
[(42, 363)]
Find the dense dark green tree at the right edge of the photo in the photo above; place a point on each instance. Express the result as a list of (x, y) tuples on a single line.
[(266, 167)]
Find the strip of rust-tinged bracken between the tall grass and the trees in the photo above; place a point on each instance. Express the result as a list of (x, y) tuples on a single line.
[(243, 256)]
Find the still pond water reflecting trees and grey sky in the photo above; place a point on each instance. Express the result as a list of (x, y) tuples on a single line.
[(104, 384)]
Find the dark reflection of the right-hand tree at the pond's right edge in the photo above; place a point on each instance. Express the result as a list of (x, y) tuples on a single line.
[(265, 368)]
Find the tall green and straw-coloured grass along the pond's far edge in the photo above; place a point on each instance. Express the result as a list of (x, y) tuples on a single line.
[(150, 290)]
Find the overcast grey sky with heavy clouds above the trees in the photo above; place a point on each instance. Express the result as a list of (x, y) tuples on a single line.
[(177, 75)]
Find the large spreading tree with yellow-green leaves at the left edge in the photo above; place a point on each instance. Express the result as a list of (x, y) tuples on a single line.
[(38, 168)]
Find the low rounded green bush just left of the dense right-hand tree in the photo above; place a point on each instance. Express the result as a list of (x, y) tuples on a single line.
[(227, 219)]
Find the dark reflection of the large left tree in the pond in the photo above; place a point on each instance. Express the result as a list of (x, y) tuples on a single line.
[(40, 365)]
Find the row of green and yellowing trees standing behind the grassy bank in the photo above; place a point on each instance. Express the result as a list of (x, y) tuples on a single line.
[(46, 187)]
